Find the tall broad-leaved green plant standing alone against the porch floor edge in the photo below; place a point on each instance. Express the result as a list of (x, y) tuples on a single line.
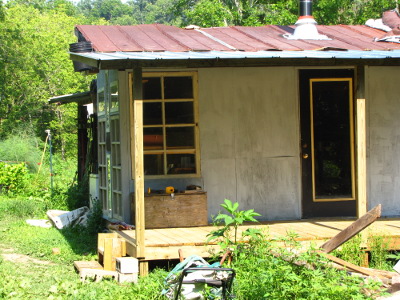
[(227, 235)]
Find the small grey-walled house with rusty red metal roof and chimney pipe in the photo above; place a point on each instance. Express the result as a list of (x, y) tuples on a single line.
[(296, 121)]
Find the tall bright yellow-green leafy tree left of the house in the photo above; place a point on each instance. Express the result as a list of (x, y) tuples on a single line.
[(36, 67)]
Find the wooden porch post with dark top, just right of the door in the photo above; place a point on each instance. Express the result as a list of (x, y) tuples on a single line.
[(361, 142)]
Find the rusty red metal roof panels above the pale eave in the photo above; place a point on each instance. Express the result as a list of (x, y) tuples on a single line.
[(161, 38)]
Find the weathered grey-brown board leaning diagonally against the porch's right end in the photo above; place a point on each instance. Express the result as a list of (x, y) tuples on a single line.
[(352, 229)]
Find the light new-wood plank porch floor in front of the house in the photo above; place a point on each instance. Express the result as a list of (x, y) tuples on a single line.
[(165, 243)]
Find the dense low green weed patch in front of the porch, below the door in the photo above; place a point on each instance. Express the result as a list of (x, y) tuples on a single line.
[(264, 271)]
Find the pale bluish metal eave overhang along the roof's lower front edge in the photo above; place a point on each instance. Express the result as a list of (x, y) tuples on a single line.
[(129, 60)]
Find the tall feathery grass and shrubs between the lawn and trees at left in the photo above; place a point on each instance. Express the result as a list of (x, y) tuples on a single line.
[(58, 190)]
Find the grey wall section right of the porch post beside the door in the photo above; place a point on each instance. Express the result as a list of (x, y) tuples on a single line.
[(383, 103)]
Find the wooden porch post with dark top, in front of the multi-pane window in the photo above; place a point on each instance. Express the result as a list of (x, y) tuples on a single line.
[(138, 168)]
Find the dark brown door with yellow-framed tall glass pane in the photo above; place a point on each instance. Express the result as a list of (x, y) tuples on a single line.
[(327, 143)]
